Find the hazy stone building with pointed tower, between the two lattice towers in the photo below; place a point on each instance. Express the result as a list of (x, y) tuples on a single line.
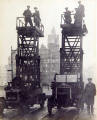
[(50, 58)]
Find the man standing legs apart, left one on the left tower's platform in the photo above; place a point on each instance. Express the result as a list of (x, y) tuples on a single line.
[(27, 14)]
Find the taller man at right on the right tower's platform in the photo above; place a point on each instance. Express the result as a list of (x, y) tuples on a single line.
[(79, 14)]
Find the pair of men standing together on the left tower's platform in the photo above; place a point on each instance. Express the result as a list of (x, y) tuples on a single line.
[(28, 14)]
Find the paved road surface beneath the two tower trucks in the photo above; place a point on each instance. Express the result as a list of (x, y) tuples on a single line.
[(41, 114)]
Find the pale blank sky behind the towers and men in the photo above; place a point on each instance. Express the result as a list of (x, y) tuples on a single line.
[(50, 12)]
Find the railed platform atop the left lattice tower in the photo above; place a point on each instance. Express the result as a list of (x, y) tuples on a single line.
[(29, 31)]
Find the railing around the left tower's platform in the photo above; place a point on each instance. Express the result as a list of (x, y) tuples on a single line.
[(20, 22)]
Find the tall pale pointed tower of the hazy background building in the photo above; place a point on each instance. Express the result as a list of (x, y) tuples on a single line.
[(53, 54)]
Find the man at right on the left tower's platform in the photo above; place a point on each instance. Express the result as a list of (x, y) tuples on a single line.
[(36, 15)]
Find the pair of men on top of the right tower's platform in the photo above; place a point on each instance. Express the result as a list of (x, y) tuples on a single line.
[(78, 16)]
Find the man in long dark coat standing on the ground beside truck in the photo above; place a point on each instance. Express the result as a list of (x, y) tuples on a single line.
[(90, 92)]
